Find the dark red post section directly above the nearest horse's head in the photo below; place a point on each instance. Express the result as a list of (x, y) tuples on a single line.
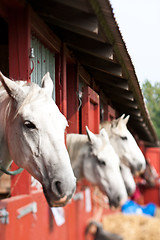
[(19, 43)]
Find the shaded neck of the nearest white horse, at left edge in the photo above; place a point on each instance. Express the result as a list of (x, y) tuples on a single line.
[(4, 114)]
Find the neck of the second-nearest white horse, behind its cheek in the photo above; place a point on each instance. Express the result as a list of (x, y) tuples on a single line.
[(77, 147)]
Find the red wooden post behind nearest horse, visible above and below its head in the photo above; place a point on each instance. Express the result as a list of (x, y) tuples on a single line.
[(19, 68)]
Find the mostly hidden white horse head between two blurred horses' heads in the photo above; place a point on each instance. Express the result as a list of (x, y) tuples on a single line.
[(128, 179)]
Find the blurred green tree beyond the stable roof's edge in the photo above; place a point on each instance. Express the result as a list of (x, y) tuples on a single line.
[(151, 95)]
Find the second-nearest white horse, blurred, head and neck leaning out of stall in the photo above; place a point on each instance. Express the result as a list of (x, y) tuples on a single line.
[(93, 157)]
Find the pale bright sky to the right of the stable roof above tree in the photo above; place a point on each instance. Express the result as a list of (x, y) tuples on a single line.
[(139, 23)]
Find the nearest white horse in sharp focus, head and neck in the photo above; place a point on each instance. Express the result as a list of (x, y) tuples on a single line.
[(32, 134)]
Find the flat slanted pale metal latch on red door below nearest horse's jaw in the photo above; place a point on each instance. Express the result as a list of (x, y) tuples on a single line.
[(30, 208)]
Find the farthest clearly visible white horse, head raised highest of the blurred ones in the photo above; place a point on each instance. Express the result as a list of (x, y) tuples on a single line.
[(125, 144)]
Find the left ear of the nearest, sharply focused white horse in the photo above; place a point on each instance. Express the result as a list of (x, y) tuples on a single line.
[(11, 87)]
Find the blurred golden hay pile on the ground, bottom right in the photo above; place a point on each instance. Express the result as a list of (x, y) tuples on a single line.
[(133, 227)]
